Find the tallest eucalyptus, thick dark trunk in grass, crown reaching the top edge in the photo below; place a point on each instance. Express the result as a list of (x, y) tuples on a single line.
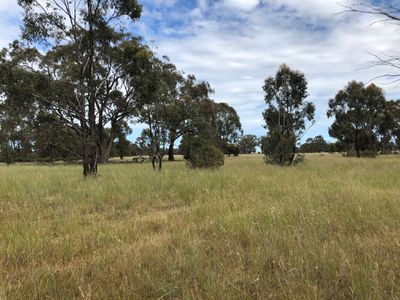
[(88, 62)]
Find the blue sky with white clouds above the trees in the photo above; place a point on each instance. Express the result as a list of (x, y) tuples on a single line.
[(236, 44)]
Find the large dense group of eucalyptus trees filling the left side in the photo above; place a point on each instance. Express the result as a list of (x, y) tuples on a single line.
[(75, 84)]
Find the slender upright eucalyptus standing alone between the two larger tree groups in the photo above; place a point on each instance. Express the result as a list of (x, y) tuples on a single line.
[(286, 114)]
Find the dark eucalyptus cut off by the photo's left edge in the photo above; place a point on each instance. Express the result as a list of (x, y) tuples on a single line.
[(17, 106)]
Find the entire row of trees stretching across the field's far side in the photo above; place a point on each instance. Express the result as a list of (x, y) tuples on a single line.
[(77, 82)]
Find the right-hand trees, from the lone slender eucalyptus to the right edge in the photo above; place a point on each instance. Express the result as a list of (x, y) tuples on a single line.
[(365, 123)]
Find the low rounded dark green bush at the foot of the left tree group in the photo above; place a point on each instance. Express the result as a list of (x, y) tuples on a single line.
[(207, 156)]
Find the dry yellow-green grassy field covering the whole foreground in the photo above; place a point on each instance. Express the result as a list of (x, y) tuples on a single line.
[(327, 229)]
